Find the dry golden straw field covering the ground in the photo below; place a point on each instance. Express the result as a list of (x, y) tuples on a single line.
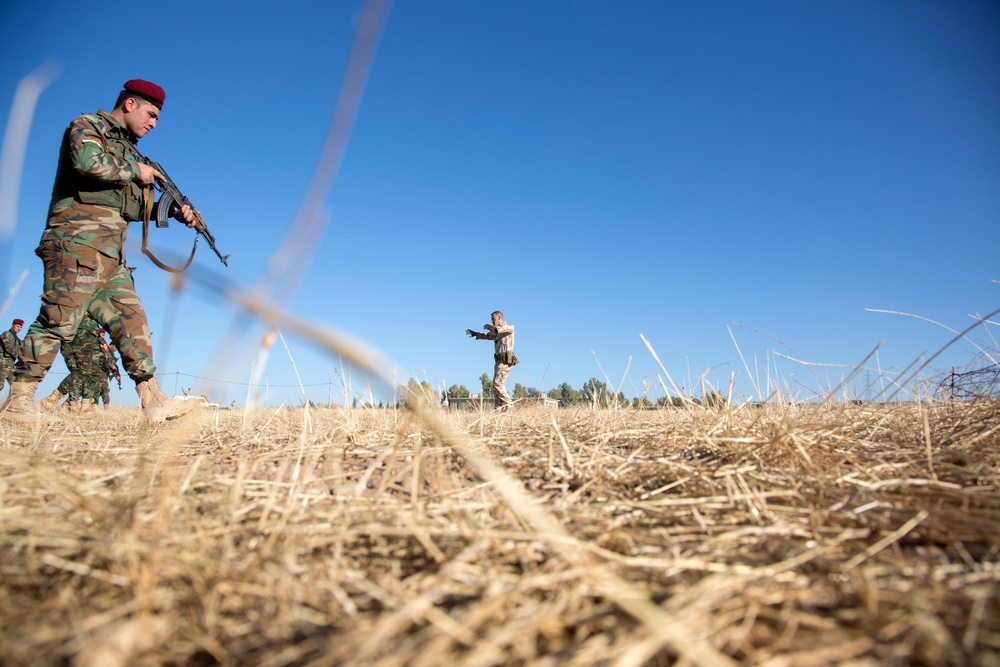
[(782, 535)]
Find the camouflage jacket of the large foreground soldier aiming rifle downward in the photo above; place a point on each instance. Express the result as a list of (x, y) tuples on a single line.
[(95, 194)]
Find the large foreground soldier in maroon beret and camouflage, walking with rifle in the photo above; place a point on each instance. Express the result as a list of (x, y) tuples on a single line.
[(101, 184)]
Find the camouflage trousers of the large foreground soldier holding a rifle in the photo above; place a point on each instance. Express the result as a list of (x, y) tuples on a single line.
[(78, 280)]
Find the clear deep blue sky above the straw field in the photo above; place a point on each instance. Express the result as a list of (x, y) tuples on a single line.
[(596, 170)]
